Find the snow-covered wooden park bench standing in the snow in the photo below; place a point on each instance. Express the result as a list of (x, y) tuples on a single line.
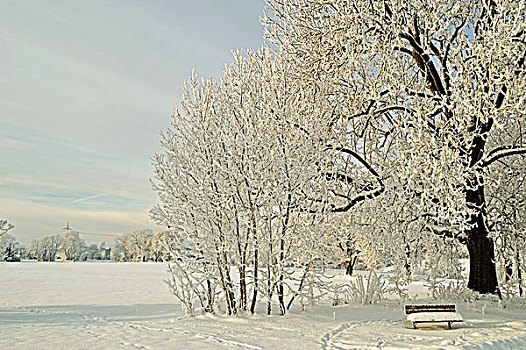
[(428, 313)]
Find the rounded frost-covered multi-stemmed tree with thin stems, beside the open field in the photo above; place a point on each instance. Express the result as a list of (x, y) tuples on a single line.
[(244, 169)]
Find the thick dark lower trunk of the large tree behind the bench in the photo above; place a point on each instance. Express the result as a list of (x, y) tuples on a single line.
[(482, 272)]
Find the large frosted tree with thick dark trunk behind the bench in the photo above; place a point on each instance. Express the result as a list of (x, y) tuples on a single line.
[(417, 88)]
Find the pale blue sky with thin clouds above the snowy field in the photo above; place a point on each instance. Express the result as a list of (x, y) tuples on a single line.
[(85, 89)]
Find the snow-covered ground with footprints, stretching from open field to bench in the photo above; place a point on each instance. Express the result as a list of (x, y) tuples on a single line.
[(67, 305)]
